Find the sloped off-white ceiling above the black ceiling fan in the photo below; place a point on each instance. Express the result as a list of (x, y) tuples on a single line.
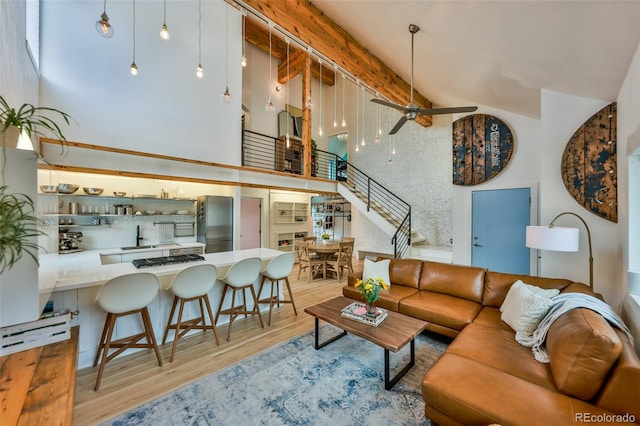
[(499, 54)]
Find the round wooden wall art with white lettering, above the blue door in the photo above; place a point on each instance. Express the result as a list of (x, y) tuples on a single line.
[(482, 147)]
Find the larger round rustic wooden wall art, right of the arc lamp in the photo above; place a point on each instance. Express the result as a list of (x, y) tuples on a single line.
[(589, 167)]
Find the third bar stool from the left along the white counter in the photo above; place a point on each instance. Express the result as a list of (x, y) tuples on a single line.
[(240, 277)]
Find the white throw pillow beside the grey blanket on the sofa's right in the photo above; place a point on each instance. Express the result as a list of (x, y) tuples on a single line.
[(524, 307)]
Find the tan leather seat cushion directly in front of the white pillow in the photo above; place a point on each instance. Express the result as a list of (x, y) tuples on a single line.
[(497, 347)]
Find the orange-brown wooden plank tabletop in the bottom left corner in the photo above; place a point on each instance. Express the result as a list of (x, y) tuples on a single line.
[(37, 386)]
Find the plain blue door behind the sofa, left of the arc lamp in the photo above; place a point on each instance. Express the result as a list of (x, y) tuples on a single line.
[(499, 221)]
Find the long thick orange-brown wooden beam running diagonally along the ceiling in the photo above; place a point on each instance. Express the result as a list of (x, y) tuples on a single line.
[(311, 26)]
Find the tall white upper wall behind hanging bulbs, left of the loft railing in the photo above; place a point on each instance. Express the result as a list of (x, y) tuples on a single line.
[(166, 109)]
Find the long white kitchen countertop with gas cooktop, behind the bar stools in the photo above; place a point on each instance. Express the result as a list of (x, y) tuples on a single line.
[(84, 269)]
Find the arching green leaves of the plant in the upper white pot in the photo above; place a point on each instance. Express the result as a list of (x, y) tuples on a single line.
[(32, 120)]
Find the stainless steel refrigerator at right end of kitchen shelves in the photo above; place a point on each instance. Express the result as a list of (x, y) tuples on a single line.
[(215, 223)]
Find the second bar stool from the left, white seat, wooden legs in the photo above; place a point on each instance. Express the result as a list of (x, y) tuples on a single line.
[(191, 284)]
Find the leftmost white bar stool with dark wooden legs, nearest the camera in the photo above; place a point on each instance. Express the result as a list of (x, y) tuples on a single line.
[(122, 296)]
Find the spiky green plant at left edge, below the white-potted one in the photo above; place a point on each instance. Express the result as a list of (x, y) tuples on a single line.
[(18, 227)]
